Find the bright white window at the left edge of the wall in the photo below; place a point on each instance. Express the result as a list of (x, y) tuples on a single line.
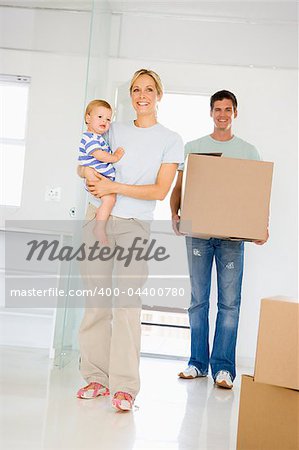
[(14, 92)]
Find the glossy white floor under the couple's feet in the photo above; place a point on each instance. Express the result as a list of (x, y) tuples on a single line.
[(39, 409)]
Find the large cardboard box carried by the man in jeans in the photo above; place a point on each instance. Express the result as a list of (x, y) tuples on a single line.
[(225, 197)]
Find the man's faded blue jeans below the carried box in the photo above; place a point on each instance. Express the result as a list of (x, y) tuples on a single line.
[(229, 258)]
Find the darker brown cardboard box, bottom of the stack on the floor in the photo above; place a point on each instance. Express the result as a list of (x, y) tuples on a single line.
[(268, 417)]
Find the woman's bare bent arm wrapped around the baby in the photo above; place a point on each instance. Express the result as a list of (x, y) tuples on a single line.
[(157, 191)]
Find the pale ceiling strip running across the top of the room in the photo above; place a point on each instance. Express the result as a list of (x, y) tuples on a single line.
[(254, 10)]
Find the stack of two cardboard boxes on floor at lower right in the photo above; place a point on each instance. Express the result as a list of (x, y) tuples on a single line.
[(269, 403)]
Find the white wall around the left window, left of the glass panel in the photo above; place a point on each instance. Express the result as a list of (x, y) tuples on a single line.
[(52, 48)]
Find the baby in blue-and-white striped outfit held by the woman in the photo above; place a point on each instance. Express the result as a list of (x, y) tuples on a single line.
[(95, 152)]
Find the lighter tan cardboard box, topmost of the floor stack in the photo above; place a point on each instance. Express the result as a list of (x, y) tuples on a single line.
[(277, 354)]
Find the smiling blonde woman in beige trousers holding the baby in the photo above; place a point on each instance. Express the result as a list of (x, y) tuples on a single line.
[(110, 354)]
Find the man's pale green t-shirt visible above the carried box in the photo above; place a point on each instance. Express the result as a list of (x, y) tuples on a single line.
[(234, 148)]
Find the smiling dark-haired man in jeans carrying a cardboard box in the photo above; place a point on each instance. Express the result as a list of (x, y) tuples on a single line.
[(228, 257)]
